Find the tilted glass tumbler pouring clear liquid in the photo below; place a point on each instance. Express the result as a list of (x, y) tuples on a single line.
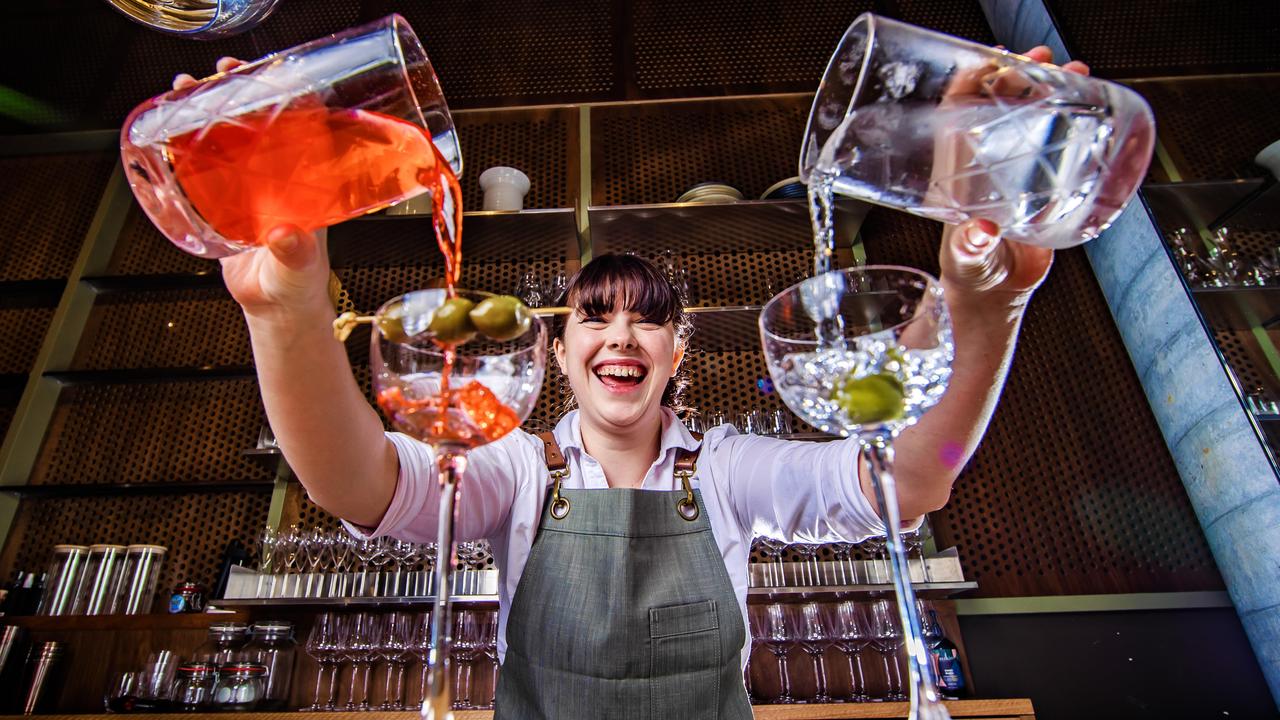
[(953, 130)]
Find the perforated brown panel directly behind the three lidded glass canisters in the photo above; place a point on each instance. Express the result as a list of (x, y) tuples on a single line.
[(195, 530)]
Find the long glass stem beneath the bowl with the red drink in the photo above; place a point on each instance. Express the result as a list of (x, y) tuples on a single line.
[(437, 704)]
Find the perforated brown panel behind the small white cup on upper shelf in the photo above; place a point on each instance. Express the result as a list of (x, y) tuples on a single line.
[(542, 144)]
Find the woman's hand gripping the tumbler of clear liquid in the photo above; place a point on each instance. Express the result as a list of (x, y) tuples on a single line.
[(980, 270)]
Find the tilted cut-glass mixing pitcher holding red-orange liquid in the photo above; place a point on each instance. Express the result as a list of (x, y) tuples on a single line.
[(321, 134)]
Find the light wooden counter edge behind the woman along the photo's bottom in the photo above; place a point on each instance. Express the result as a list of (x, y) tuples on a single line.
[(1018, 709)]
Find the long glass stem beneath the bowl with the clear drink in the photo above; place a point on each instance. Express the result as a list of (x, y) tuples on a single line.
[(926, 703)]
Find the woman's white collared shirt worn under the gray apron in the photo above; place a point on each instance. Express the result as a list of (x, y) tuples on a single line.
[(752, 486)]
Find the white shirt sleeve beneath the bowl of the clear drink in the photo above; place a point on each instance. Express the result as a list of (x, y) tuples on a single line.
[(794, 491)]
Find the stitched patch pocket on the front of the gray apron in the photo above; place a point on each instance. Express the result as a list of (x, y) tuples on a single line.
[(687, 662)]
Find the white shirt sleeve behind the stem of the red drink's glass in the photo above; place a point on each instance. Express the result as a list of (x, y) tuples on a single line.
[(490, 487)]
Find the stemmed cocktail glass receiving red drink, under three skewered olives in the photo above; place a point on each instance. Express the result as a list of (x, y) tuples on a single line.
[(454, 397)]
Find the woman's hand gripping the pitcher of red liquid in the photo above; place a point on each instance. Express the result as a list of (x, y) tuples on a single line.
[(289, 274)]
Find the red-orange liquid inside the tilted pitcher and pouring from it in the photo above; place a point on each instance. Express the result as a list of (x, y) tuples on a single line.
[(312, 167)]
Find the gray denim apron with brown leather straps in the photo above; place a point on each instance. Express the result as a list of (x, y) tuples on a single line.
[(625, 610)]
